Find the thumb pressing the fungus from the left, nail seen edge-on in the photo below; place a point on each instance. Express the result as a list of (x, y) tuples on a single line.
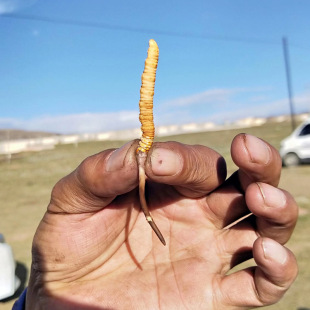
[(97, 181)]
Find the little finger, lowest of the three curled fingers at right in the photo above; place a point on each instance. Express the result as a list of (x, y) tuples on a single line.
[(264, 284)]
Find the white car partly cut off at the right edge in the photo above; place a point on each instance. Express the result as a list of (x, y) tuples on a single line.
[(295, 149)]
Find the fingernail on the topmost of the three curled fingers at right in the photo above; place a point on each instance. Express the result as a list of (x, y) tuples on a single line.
[(258, 150)]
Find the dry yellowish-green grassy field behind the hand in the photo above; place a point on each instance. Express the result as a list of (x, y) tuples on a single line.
[(27, 181)]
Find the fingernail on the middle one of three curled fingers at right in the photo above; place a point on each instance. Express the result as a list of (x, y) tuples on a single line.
[(273, 197)]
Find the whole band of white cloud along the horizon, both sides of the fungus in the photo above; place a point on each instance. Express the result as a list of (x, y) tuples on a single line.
[(229, 106)]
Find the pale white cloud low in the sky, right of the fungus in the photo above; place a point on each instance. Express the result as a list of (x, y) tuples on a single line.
[(222, 105)]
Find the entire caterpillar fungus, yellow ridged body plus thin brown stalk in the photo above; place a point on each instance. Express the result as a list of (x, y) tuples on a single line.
[(147, 127)]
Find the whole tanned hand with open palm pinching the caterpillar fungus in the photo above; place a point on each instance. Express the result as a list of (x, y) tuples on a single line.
[(94, 249)]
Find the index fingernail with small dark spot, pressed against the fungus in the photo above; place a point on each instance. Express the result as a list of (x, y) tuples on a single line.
[(165, 162)]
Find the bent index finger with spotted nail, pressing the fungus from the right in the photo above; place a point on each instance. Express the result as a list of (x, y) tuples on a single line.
[(194, 170)]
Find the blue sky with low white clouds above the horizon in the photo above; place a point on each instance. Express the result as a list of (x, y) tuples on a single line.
[(75, 65)]
